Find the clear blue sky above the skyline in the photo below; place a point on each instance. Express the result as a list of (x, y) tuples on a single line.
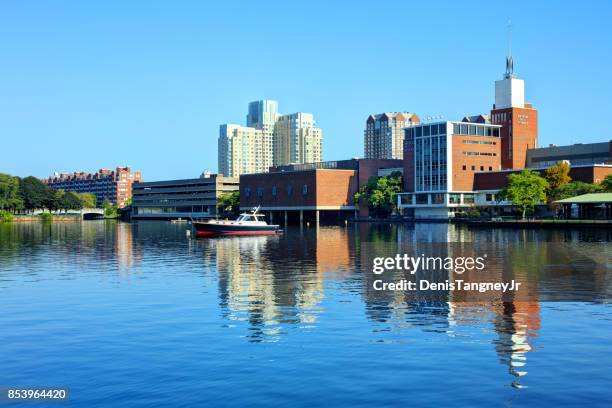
[(85, 85)]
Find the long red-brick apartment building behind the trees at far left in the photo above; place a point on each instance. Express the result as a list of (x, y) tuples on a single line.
[(114, 185)]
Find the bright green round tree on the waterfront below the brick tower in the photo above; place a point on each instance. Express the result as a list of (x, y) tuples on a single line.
[(525, 190)]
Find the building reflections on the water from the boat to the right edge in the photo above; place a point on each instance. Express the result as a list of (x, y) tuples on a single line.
[(275, 283)]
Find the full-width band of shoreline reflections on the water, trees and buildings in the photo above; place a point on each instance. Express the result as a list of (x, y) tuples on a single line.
[(273, 285)]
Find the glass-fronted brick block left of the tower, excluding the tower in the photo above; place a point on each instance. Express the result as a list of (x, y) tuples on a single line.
[(440, 161)]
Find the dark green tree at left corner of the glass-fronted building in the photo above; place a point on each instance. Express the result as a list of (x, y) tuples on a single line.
[(379, 194)]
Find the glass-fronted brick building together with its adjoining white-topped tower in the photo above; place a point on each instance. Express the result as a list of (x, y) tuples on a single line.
[(441, 160)]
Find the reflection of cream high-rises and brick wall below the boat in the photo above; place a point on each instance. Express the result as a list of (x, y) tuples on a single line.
[(272, 281)]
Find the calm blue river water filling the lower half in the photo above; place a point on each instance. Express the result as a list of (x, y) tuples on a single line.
[(139, 315)]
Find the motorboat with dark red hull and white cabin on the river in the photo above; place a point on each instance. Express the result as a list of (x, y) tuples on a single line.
[(249, 223)]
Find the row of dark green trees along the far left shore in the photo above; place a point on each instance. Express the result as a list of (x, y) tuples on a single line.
[(24, 195)]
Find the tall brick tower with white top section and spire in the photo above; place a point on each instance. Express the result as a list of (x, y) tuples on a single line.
[(519, 119)]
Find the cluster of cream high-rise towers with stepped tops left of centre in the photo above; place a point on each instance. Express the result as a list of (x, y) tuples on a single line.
[(269, 138)]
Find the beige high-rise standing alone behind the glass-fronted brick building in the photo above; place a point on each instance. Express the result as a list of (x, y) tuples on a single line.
[(384, 135)]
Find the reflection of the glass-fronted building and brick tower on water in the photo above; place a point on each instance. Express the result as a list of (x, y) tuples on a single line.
[(515, 318)]
